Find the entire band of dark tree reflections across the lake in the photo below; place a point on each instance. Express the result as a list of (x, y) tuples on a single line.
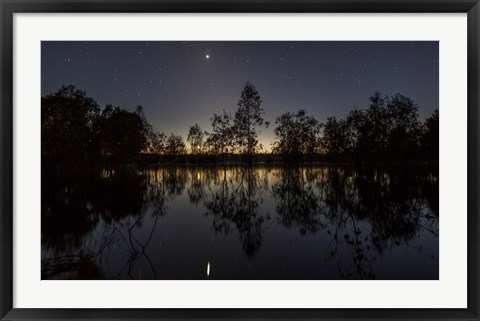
[(359, 214)]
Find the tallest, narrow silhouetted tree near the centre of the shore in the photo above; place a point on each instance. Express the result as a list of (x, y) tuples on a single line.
[(247, 118)]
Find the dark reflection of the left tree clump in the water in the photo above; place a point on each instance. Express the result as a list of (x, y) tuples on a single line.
[(100, 204)]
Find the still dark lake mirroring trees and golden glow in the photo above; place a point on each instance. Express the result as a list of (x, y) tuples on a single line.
[(317, 222)]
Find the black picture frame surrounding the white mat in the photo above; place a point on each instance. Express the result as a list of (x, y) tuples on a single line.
[(9, 7)]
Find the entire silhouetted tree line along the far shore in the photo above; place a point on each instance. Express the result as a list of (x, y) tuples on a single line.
[(76, 130)]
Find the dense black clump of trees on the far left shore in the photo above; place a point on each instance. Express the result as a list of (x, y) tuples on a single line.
[(75, 131)]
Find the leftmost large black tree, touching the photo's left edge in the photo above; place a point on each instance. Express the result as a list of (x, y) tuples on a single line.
[(69, 125)]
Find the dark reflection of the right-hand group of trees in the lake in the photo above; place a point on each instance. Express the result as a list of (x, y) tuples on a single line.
[(364, 212)]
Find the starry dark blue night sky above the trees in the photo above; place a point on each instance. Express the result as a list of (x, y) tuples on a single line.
[(183, 83)]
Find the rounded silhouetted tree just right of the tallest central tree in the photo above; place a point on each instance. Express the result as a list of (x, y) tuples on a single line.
[(296, 133)]
